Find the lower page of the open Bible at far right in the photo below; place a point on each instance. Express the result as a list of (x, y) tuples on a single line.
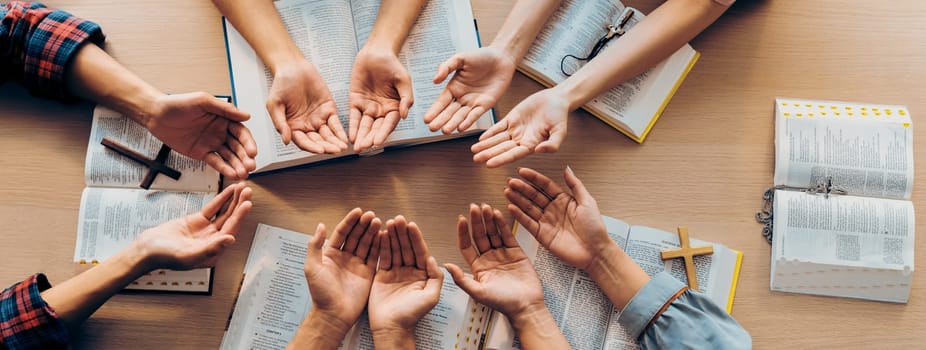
[(844, 230)]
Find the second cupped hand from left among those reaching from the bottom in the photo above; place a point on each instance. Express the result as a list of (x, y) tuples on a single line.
[(408, 282)]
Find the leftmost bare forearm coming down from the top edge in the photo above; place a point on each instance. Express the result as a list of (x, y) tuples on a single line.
[(260, 24)]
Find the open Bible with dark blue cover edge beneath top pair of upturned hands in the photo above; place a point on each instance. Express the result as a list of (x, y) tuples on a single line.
[(330, 33)]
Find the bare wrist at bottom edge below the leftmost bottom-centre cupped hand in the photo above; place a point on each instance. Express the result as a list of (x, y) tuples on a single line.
[(319, 331)]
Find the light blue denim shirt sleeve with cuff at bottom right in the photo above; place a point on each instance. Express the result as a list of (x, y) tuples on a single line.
[(692, 321)]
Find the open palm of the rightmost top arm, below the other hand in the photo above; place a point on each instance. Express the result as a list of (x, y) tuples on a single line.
[(537, 124)]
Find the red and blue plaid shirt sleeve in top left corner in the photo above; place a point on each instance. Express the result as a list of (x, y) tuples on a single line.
[(36, 45)]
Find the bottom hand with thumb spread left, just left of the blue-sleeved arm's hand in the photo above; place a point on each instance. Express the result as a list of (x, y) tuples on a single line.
[(503, 278)]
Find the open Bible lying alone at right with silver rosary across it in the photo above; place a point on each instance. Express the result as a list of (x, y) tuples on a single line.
[(858, 243)]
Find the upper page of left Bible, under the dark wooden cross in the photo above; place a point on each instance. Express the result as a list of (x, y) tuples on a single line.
[(106, 168)]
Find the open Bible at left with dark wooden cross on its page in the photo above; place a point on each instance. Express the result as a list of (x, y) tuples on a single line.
[(114, 210)]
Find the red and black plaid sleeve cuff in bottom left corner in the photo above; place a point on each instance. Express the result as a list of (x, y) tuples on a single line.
[(26, 321)]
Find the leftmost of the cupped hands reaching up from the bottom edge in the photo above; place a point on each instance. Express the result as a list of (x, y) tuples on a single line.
[(340, 273)]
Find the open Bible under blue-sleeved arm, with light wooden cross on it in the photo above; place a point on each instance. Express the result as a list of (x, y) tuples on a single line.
[(585, 315)]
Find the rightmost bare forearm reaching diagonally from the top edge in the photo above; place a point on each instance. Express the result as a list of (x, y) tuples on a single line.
[(652, 40)]
